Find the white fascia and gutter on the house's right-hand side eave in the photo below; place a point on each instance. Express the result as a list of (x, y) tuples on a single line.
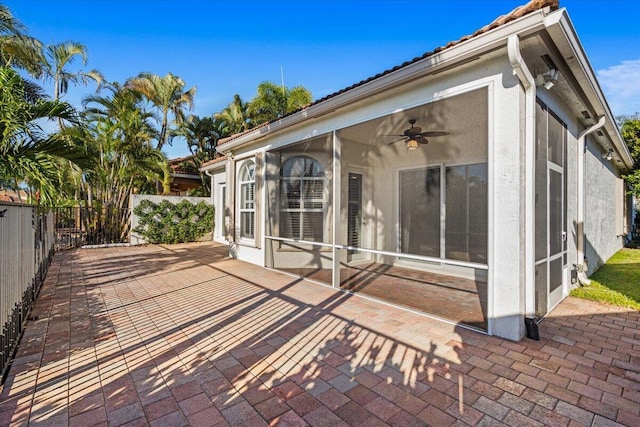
[(565, 38)]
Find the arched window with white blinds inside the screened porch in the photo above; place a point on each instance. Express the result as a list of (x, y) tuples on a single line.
[(302, 199)]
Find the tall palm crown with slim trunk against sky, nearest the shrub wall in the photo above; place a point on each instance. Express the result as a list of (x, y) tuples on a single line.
[(167, 95)]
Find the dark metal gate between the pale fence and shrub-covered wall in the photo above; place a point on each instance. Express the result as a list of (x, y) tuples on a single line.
[(77, 227)]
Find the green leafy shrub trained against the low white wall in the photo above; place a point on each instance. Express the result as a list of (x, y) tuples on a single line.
[(166, 223)]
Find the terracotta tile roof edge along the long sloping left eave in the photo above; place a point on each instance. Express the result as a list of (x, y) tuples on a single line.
[(520, 11)]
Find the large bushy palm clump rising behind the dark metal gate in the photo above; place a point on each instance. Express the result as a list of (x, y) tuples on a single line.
[(119, 131)]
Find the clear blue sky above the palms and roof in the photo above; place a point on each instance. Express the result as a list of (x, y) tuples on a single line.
[(228, 47)]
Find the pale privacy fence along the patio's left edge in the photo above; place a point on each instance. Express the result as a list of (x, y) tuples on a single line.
[(26, 249)]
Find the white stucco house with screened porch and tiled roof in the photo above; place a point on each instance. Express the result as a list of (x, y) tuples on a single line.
[(490, 222)]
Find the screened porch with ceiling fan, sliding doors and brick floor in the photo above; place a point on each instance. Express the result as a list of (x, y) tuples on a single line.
[(379, 209)]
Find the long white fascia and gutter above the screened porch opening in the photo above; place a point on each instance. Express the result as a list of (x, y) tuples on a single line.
[(439, 62)]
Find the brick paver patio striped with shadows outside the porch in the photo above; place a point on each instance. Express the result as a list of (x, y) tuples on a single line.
[(182, 335)]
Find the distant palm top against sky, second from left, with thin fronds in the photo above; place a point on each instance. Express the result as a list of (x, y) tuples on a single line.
[(58, 58)]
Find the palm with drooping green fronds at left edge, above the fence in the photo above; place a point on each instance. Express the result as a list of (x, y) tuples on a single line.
[(29, 154)]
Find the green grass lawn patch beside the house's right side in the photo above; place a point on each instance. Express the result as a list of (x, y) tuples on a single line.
[(617, 282)]
